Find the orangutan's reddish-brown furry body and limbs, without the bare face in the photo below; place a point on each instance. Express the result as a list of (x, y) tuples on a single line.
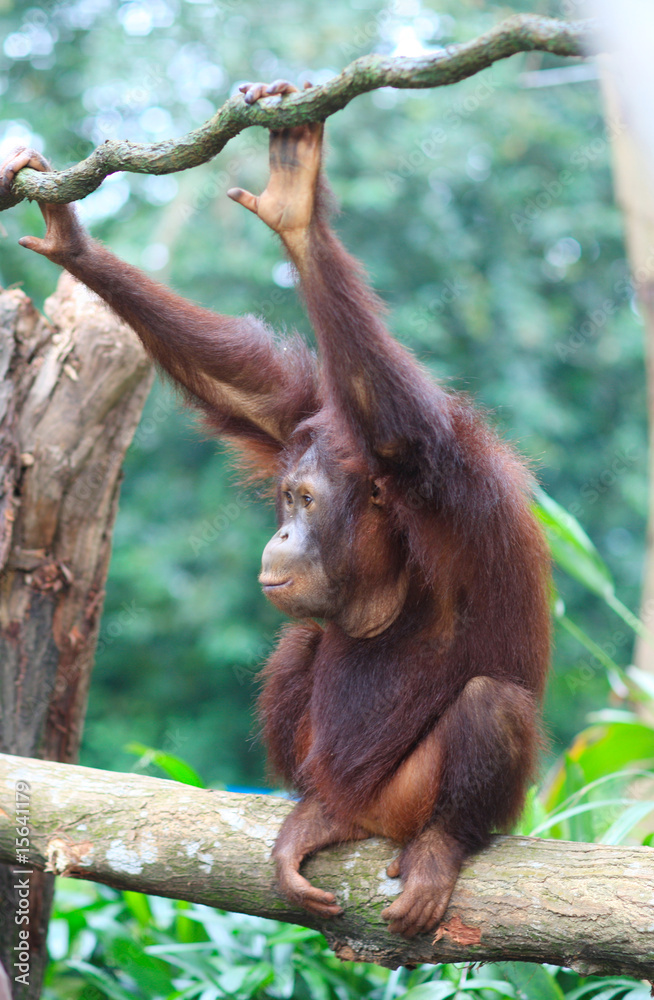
[(428, 731)]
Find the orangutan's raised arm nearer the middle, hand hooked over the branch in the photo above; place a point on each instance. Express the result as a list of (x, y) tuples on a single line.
[(371, 380)]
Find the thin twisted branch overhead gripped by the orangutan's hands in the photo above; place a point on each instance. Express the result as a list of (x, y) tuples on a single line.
[(521, 33)]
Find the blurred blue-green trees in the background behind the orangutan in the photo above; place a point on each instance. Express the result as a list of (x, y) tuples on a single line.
[(484, 213)]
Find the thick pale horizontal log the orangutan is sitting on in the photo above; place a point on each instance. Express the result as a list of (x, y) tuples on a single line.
[(584, 906)]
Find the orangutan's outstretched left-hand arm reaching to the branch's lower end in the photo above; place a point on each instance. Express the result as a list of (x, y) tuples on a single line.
[(248, 386)]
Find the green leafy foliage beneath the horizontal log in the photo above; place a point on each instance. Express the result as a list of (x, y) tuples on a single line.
[(122, 945)]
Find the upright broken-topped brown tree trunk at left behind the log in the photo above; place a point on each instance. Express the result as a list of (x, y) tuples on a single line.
[(71, 393)]
